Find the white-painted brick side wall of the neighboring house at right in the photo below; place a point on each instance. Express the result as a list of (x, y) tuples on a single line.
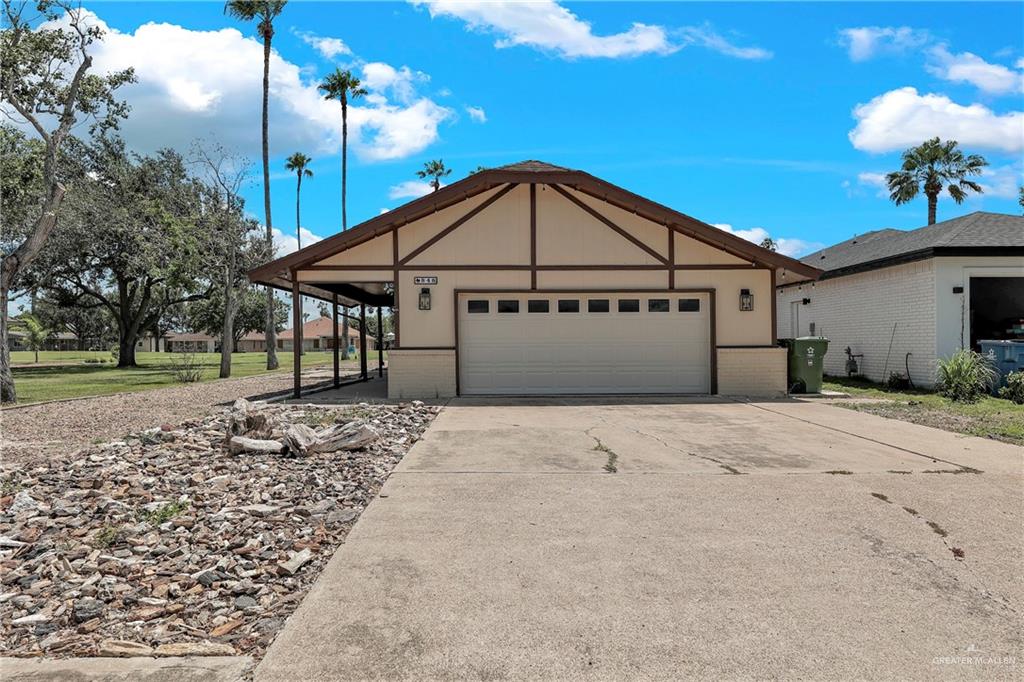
[(860, 311)]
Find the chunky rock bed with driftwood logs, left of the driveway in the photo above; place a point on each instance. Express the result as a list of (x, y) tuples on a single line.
[(196, 540)]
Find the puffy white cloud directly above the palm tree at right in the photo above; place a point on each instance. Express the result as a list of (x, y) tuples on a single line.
[(903, 118)]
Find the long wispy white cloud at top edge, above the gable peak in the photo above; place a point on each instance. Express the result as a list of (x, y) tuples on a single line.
[(547, 26)]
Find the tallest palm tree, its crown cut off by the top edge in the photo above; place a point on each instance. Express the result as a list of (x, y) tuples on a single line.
[(266, 12)]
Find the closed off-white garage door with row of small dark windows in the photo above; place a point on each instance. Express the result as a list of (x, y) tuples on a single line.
[(537, 344)]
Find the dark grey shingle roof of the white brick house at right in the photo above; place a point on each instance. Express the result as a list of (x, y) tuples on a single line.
[(972, 232)]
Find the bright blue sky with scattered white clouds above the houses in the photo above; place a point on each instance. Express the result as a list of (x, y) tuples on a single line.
[(764, 116)]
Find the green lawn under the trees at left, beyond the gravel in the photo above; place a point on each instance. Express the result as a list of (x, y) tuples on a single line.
[(70, 376)]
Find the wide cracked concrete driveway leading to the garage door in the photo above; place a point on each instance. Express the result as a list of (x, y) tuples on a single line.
[(727, 543)]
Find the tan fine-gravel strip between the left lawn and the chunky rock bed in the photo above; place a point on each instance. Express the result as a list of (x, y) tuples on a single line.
[(39, 432)]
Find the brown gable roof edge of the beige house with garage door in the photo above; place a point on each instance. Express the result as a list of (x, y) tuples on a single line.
[(531, 172)]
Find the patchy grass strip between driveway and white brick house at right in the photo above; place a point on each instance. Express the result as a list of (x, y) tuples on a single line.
[(989, 418)]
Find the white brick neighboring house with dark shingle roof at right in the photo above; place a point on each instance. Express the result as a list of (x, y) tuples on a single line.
[(927, 292)]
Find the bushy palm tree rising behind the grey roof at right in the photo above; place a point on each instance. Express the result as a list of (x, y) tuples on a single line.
[(930, 168)]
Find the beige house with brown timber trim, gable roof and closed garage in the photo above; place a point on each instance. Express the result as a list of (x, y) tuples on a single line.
[(532, 279)]
